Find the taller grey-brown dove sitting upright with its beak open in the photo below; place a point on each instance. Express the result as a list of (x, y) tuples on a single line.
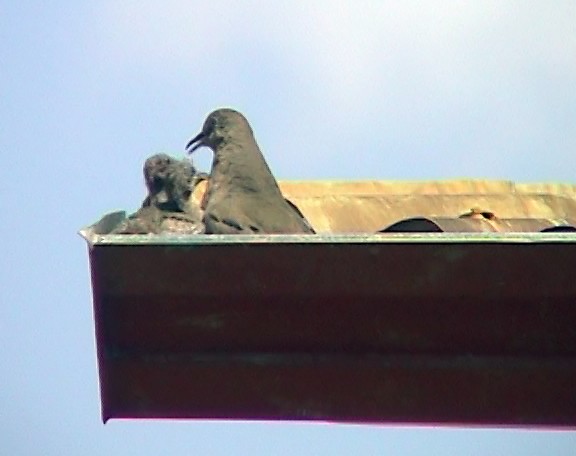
[(243, 196)]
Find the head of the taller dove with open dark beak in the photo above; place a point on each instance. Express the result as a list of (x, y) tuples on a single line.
[(218, 128)]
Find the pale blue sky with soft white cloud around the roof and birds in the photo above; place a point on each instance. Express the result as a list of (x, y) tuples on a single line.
[(333, 89)]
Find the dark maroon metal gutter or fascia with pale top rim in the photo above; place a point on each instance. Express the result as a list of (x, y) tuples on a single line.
[(398, 328)]
